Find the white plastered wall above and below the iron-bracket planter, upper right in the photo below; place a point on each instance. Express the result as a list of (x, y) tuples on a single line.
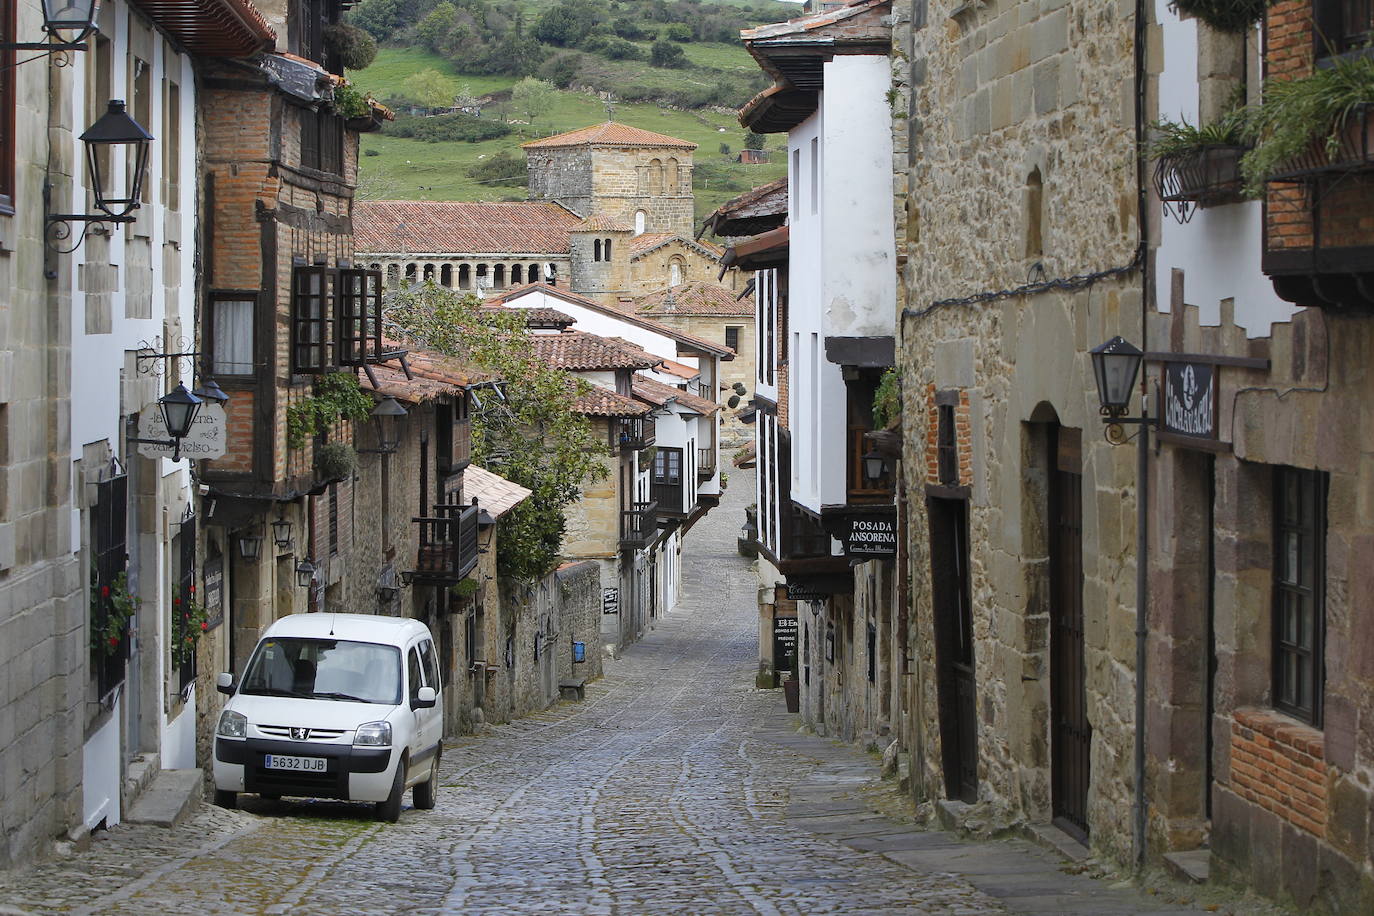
[(1219, 249)]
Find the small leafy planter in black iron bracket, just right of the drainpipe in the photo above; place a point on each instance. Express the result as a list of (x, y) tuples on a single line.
[(1199, 164)]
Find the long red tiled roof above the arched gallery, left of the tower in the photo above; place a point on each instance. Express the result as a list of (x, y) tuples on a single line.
[(454, 227)]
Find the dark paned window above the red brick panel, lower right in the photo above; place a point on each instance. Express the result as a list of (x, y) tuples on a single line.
[(1309, 597)]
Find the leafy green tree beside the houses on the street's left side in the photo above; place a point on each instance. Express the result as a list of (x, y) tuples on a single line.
[(532, 436)]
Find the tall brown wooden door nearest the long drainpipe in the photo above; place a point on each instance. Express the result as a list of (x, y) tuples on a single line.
[(1072, 735)]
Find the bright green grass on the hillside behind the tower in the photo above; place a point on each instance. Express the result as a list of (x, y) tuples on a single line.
[(413, 170)]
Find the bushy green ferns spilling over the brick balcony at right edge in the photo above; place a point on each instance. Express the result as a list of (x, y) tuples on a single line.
[(1313, 124)]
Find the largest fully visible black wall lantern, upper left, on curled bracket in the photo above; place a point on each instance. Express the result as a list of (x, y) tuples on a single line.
[(113, 130)]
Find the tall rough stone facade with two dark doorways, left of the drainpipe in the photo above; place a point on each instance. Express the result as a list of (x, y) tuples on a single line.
[(1016, 157)]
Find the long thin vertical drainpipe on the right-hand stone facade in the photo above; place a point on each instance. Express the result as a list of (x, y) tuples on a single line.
[(1142, 469)]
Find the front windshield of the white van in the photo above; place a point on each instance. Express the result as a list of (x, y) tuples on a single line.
[(325, 669)]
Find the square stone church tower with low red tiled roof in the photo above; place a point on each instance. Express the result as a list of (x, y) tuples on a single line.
[(634, 178)]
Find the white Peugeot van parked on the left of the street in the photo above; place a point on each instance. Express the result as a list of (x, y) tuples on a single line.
[(335, 707)]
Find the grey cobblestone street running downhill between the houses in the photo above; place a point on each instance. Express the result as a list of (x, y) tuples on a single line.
[(674, 788)]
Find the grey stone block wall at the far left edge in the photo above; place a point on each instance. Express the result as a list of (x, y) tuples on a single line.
[(43, 635)]
